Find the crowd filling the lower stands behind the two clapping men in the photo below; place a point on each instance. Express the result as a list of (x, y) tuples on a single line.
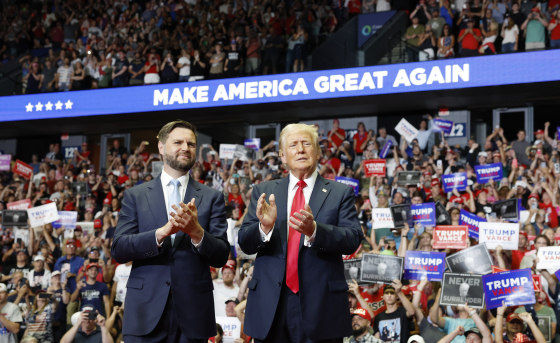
[(62, 282)]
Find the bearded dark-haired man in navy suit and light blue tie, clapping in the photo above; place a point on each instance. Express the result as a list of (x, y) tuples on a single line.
[(173, 229)]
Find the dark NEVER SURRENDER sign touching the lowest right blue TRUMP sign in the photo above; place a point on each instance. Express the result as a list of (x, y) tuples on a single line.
[(458, 289)]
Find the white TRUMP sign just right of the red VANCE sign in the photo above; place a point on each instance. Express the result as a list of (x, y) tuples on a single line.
[(504, 234)]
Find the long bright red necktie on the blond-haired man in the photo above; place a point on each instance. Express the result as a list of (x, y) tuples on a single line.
[(294, 237)]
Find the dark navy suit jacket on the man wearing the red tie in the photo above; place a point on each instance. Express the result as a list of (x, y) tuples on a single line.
[(323, 297)]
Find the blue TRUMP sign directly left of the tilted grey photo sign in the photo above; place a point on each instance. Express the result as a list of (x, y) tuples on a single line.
[(424, 264)]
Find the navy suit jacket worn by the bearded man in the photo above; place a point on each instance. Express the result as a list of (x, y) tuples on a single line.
[(181, 268)]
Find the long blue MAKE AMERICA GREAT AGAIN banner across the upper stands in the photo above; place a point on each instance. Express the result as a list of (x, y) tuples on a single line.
[(458, 73)]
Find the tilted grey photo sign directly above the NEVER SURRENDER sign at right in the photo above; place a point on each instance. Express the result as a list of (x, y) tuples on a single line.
[(473, 260)]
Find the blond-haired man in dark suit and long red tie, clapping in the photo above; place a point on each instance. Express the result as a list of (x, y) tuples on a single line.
[(298, 292)]
